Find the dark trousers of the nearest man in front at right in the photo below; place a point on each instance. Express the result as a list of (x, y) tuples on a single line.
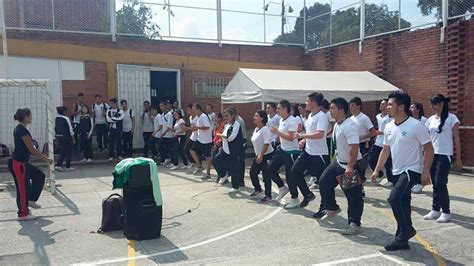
[(400, 201)]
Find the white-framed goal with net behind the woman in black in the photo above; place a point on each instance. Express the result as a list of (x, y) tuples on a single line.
[(35, 95)]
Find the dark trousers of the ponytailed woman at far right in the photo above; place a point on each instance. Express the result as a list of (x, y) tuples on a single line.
[(439, 178)]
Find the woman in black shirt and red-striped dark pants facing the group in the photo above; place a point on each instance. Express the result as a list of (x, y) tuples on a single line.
[(26, 193)]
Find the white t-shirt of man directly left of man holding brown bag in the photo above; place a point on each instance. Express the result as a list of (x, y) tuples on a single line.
[(317, 122)]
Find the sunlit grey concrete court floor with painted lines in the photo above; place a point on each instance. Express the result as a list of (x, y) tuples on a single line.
[(227, 229)]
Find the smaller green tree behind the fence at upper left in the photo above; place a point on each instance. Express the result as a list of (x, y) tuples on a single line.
[(137, 19)]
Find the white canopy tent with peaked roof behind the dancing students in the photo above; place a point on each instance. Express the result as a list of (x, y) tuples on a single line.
[(267, 85)]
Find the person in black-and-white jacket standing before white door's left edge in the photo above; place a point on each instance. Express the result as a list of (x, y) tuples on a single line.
[(114, 118)]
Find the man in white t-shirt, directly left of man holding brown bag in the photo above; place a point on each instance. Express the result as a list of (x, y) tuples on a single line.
[(311, 159)]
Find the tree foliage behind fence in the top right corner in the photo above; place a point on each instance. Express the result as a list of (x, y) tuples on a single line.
[(455, 7)]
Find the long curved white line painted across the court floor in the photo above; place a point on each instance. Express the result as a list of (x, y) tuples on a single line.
[(178, 249)]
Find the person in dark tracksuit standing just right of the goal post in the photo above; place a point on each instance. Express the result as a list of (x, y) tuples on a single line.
[(64, 134)]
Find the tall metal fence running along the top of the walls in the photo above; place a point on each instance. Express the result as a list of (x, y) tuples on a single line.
[(308, 23)]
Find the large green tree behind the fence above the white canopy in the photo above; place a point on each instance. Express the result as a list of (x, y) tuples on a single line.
[(345, 25)]
